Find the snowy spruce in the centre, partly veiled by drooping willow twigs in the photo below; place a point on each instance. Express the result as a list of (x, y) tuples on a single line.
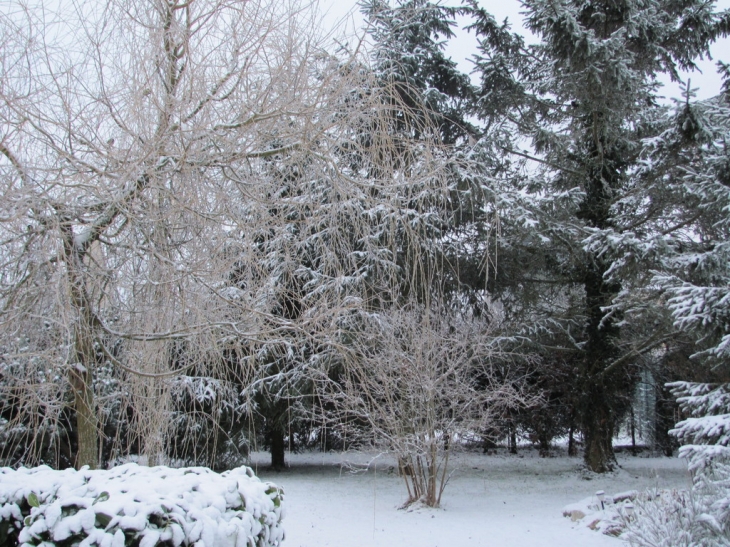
[(373, 246)]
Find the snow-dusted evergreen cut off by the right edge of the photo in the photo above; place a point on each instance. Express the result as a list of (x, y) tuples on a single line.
[(687, 174)]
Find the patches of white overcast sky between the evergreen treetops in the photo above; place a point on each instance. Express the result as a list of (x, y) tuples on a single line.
[(464, 46)]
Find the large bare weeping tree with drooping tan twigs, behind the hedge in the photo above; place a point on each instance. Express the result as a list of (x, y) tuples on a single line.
[(172, 173)]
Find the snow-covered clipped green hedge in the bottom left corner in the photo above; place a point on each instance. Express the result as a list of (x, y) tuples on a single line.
[(135, 505)]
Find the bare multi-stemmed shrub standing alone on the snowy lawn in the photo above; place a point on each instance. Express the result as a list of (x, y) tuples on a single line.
[(417, 382)]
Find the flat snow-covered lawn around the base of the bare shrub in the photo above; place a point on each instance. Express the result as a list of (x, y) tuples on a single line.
[(497, 500)]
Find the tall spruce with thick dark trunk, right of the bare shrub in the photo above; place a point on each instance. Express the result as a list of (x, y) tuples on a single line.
[(582, 97)]
